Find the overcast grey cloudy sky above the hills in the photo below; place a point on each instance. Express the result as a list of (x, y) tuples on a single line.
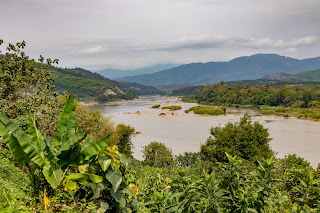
[(128, 34)]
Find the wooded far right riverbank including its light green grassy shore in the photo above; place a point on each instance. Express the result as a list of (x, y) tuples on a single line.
[(281, 98)]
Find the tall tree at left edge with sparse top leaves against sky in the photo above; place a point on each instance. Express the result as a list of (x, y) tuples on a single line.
[(25, 85)]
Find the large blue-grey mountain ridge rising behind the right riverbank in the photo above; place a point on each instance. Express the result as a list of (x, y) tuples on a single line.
[(242, 68)]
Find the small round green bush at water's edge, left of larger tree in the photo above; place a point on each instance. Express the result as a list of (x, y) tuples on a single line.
[(157, 154)]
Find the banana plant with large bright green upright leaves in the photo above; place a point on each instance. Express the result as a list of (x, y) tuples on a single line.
[(69, 148)]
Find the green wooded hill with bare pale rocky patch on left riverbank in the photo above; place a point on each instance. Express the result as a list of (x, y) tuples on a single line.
[(88, 86)]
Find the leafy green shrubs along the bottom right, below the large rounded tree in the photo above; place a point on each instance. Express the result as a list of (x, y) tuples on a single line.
[(234, 187)]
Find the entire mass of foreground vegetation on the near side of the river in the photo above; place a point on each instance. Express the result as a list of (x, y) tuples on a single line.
[(49, 163)]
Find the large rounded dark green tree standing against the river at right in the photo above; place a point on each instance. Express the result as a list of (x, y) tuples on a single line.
[(247, 140)]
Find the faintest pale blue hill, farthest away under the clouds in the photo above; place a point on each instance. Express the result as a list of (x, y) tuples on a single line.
[(116, 73)]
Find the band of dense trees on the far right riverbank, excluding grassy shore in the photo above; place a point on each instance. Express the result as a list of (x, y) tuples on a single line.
[(275, 95)]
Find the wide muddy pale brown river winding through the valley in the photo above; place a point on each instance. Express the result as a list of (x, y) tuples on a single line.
[(185, 132)]
